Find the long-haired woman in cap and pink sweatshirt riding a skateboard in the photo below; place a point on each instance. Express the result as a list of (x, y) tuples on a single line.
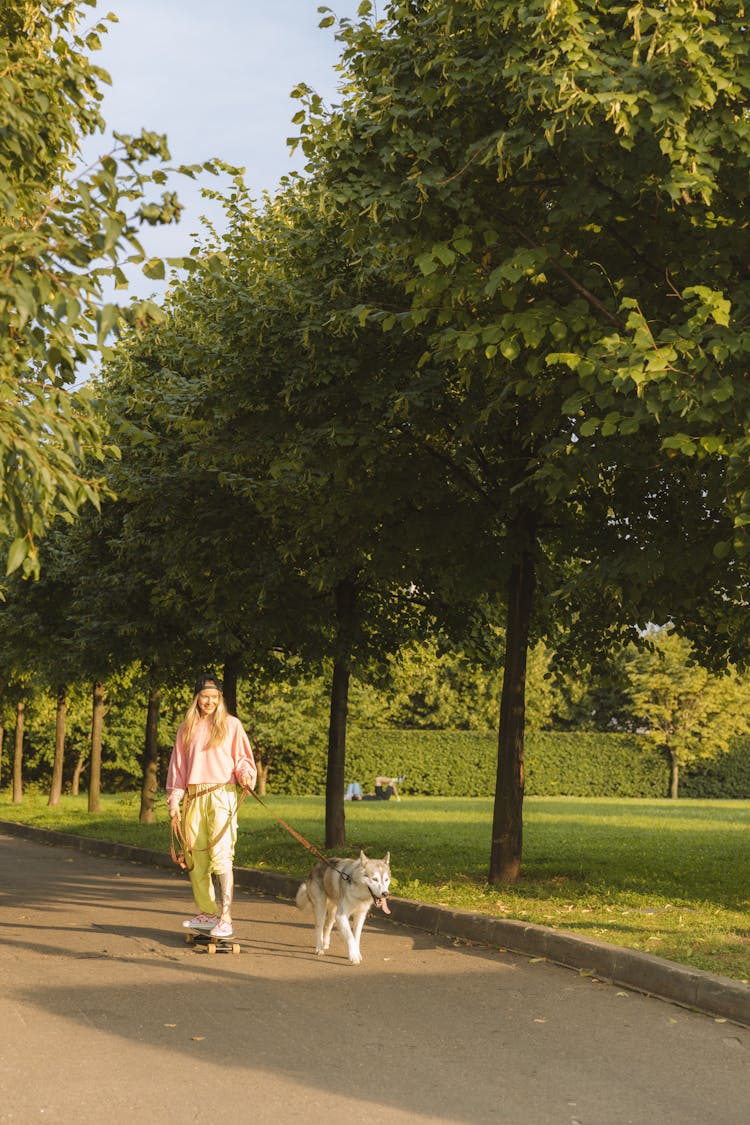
[(212, 755)]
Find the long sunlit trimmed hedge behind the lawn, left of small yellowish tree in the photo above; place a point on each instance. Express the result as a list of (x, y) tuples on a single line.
[(463, 763)]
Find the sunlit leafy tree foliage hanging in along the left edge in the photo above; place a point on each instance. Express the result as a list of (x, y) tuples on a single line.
[(65, 232)]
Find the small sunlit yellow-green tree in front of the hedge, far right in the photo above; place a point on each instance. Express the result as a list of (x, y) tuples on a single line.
[(686, 710)]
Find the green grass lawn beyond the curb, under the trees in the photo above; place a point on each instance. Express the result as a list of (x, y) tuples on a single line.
[(667, 878)]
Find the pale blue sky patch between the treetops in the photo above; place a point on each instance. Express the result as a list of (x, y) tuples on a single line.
[(215, 76)]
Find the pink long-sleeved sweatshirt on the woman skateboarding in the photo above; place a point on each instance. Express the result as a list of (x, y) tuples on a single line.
[(193, 766)]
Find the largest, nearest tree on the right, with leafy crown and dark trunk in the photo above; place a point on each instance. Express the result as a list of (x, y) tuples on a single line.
[(559, 191)]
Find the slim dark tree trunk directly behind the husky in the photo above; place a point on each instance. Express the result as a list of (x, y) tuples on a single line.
[(336, 827)]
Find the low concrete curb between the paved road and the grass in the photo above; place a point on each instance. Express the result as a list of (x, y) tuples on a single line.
[(691, 988)]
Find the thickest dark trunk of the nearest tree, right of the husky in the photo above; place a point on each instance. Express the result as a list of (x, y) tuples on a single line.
[(508, 820)]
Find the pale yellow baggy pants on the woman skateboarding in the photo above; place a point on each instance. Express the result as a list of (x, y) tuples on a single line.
[(207, 811)]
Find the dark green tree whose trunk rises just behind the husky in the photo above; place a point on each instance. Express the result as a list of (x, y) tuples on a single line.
[(277, 399)]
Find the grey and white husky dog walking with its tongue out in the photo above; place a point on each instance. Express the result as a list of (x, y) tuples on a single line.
[(345, 889)]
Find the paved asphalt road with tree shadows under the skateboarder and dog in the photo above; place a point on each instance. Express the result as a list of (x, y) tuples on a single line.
[(109, 1018)]
